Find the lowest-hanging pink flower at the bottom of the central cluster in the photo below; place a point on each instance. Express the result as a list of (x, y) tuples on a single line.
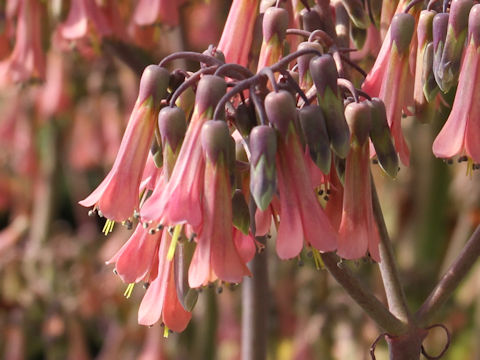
[(161, 300)]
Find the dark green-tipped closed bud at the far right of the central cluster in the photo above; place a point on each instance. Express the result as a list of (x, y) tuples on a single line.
[(382, 139)]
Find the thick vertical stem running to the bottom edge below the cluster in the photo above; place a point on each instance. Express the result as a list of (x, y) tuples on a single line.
[(255, 309)]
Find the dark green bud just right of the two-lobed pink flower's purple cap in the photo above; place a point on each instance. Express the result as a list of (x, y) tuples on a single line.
[(315, 133)]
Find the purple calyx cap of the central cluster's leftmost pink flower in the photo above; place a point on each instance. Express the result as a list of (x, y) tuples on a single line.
[(154, 83)]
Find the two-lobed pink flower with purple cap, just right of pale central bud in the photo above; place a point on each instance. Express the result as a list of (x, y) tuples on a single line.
[(301, 216)]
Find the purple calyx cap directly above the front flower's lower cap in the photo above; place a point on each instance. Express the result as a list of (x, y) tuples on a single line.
[(210, 90)]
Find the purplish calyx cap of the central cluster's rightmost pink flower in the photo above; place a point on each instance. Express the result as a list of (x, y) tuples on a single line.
[(359, 121)]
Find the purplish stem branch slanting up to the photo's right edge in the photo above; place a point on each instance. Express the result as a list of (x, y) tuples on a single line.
[(452, 278)]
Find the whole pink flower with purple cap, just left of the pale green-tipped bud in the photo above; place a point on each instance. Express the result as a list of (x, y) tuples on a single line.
[(216, 254)]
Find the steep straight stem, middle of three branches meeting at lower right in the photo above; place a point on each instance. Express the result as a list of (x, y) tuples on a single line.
[(388, 268)]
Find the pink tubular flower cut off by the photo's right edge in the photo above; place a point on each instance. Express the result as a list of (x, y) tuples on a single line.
[(461, 133)]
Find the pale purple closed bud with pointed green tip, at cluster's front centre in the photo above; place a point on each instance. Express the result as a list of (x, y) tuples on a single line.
[(263, 176)]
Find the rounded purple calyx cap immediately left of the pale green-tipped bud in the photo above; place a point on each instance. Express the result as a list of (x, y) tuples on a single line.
[(216, 142)]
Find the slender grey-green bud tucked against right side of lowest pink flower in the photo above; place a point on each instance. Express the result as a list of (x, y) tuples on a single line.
[(183, 257)]
